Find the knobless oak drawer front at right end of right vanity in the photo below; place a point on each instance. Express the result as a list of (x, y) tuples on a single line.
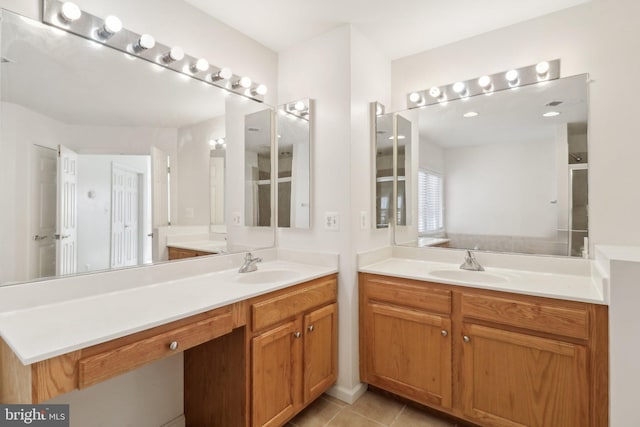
[(560, 319)]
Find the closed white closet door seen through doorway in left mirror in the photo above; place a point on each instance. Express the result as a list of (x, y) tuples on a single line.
[(124, 217)]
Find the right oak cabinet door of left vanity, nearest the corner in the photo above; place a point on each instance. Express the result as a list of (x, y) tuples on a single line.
[(320, 351)]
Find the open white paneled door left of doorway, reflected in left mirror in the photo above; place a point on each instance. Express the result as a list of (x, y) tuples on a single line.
[(67, 212)]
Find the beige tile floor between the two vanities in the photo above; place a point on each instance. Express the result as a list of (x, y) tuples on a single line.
[(373, 409)]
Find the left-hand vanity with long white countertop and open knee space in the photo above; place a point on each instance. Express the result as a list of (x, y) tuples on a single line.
[(258, 347)]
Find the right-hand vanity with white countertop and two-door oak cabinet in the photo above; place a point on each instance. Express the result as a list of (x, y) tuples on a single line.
[(474, 349)]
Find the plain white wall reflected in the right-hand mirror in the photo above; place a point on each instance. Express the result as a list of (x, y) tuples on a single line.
[(517, 180)]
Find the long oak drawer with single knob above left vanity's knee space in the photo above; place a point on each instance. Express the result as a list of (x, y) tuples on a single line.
[(105, 365)]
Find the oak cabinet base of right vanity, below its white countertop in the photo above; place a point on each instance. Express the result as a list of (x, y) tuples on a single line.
[(516, 360)]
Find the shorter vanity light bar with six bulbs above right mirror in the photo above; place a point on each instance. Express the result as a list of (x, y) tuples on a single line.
[(487, 84)]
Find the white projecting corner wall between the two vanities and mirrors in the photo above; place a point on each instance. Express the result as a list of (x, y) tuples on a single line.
[(353, 73)]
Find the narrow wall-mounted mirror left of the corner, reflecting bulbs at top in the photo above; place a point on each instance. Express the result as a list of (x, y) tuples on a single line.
[(294, 164)]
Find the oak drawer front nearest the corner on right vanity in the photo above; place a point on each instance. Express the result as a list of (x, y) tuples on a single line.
[(408, 293)]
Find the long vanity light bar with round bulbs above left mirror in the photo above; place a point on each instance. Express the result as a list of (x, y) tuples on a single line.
[(68, 17)]
